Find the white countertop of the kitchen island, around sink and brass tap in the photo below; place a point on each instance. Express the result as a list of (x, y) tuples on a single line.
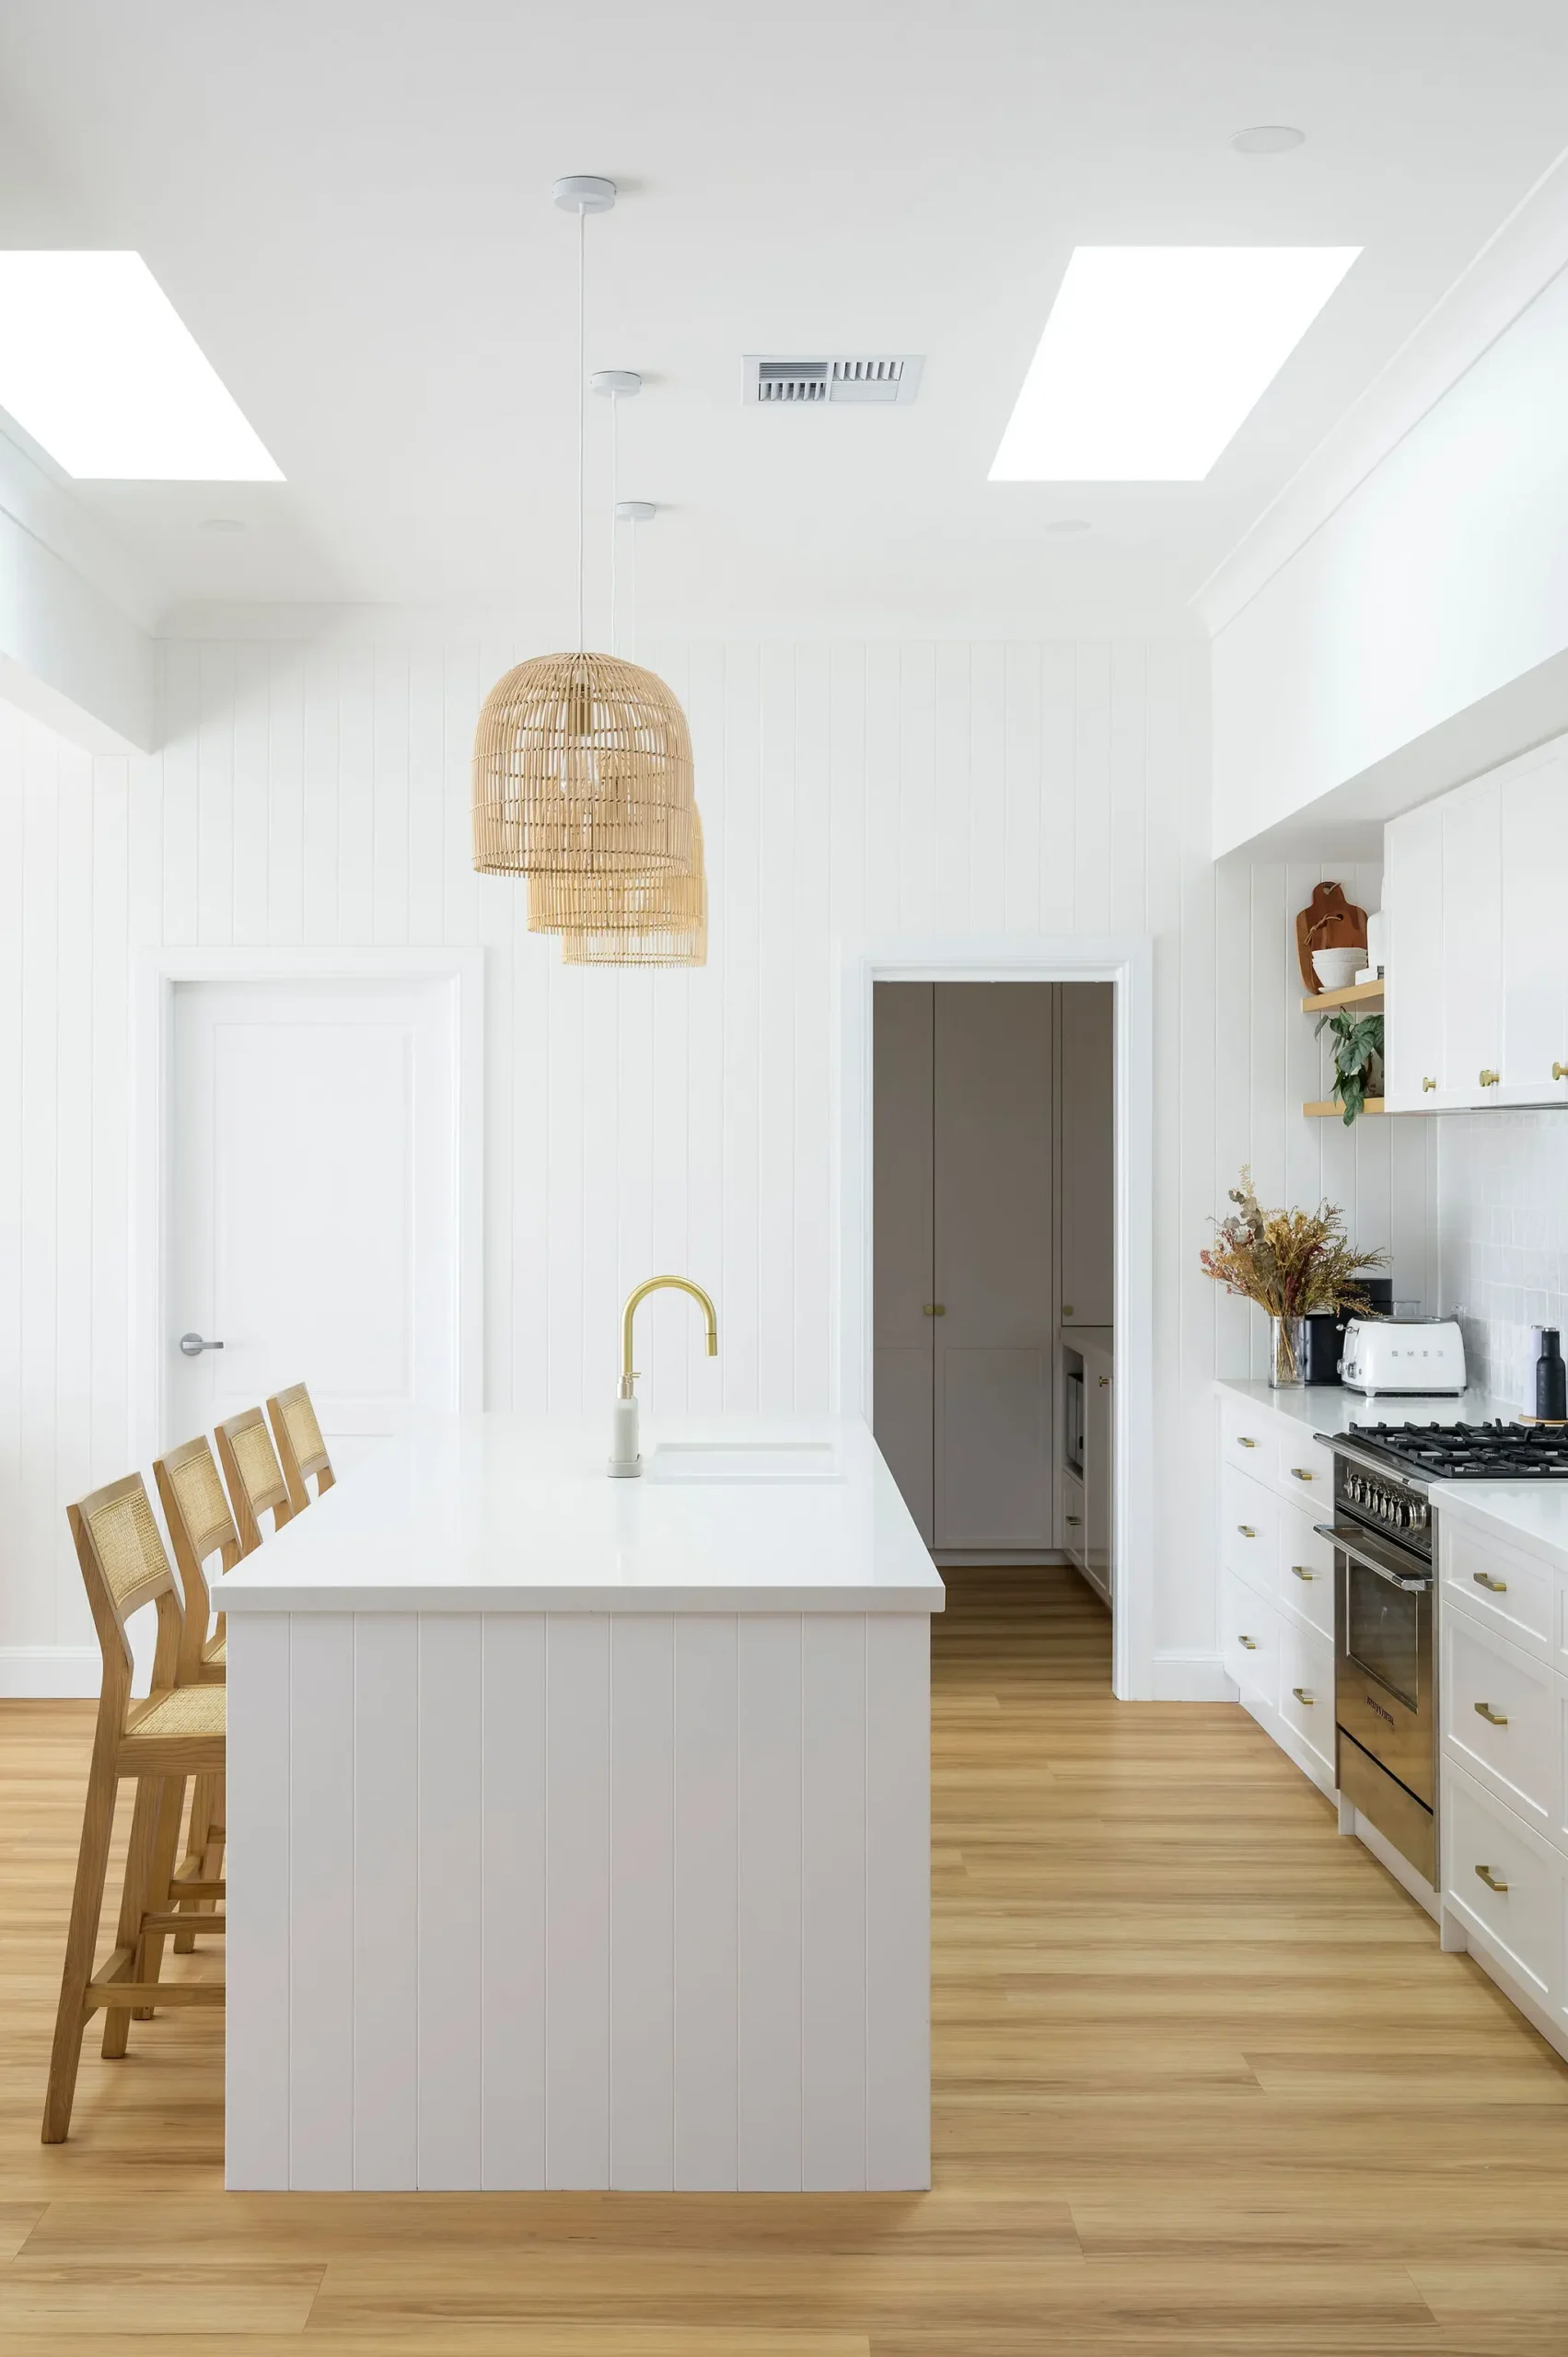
[(513, 1514)]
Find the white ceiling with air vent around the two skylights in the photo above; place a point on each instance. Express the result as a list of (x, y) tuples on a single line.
[(350, 206)]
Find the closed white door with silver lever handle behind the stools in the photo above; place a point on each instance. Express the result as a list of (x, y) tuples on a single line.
[(312, 1203)]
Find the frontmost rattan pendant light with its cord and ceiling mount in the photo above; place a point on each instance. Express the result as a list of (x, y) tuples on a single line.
[(581, 762)]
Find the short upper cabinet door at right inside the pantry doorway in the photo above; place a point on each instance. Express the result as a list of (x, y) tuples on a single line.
[(1088, 1151)]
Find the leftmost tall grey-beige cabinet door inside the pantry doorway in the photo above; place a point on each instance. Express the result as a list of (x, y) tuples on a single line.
[(904, 1253)]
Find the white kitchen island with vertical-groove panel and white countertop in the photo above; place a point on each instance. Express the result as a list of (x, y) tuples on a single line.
[(579, 1828)]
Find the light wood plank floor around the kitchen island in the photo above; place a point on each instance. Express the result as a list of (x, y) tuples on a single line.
[(1204, 2082)]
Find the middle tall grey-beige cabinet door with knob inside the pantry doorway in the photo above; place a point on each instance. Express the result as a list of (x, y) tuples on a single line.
[(994, 1265)]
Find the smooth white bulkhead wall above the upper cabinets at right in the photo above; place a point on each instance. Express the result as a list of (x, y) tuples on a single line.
[(1421, 635)]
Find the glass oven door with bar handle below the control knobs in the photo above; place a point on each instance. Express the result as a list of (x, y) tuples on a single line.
[(1383, 1656)]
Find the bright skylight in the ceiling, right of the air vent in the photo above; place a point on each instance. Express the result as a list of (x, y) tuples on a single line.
[(1154, 355)]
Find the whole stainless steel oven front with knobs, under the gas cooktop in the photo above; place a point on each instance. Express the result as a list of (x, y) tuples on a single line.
[(1385, 1661)]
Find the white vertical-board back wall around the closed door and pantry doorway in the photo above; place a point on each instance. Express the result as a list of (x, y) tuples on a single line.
[(317, 791)]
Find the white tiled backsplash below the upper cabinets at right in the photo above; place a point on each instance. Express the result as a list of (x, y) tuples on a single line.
[(1503, 1241)]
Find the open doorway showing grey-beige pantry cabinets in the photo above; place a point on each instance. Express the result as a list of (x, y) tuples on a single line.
[(994, 1269)]
